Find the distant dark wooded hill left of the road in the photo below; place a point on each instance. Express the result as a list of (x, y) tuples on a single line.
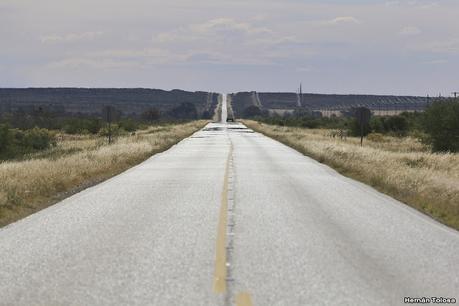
[(90, 101)]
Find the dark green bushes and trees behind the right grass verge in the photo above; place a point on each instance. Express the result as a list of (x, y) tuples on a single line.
[(437, 126)]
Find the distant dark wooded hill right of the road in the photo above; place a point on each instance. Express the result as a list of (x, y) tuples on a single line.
[(322, 102)]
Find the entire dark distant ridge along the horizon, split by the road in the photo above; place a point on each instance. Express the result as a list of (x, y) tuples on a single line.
[(132, 102)]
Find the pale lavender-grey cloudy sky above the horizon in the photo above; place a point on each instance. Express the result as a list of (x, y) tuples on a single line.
[(346, 46)]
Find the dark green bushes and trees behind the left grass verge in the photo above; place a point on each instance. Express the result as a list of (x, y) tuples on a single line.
[(22, 133)]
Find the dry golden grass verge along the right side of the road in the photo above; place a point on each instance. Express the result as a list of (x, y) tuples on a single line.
[(403, 168)]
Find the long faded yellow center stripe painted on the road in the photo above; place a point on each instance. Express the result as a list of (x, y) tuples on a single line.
[(220, 258)]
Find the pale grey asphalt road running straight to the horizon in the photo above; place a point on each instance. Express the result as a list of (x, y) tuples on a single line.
[(298, 233)]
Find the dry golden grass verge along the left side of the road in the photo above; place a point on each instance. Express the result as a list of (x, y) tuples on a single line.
[(76, 162)]
